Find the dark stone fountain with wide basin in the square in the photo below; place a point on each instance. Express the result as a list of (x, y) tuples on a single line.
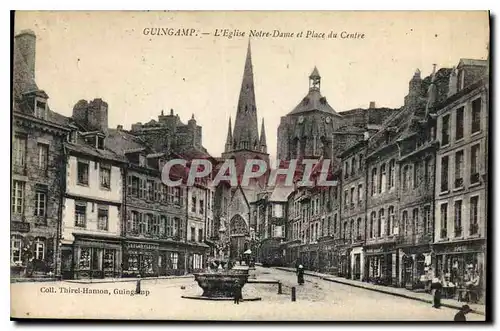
[(220, 281)]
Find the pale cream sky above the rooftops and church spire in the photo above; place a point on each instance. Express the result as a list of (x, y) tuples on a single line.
[(87, 55)]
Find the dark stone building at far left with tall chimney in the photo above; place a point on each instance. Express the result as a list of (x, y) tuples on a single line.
[(38, 135)]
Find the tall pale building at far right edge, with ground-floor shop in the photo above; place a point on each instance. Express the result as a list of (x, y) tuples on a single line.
[(461, 176)]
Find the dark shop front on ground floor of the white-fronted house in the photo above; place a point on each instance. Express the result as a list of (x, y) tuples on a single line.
[(91, 258)]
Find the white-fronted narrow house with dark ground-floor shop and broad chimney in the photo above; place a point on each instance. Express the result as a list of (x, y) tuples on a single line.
[(91, 218)]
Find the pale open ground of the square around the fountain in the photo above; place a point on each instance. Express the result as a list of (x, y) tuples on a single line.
[(317, 300)]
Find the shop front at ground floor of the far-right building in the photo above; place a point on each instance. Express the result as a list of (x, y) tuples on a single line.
[(462, 265)]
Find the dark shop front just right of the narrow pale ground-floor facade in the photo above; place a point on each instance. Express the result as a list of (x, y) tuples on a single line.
[(381, 264)]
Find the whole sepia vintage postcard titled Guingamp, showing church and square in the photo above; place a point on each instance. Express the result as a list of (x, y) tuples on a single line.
[(248, 166)]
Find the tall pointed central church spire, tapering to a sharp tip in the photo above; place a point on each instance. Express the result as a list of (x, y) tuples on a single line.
[(246, 134)]
